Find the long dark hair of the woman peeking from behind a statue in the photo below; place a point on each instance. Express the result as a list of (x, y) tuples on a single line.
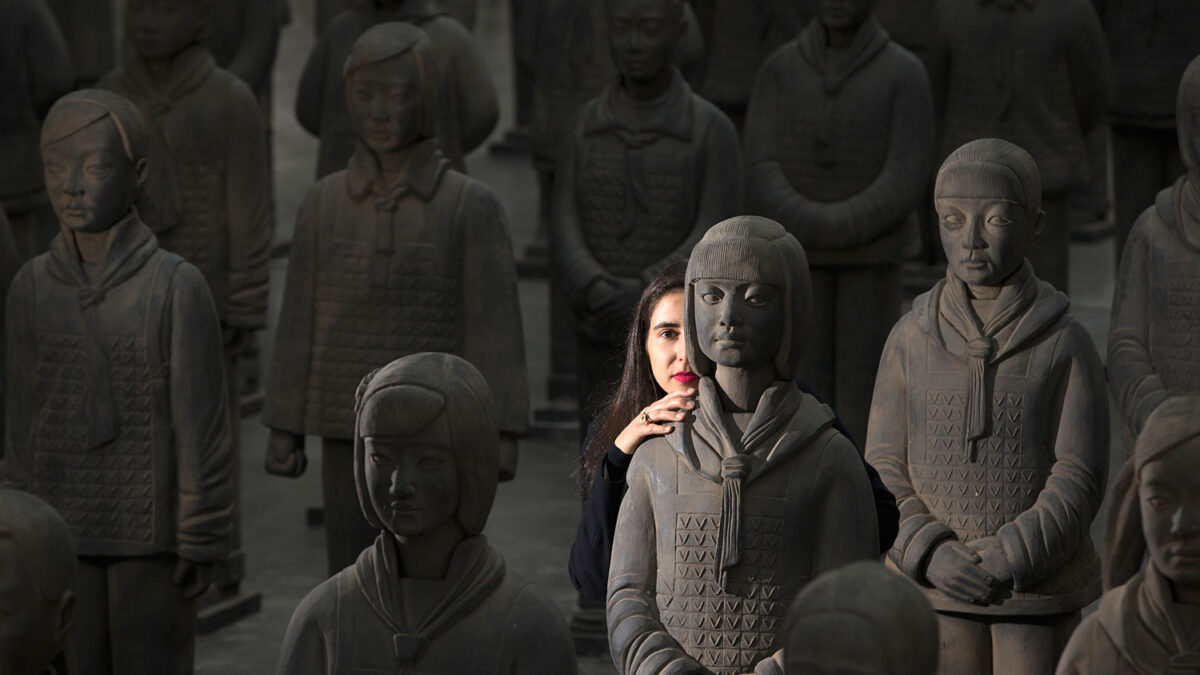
[(637, 389)]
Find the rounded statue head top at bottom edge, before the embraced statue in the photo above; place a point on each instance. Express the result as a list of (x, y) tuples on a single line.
[(861, 619)]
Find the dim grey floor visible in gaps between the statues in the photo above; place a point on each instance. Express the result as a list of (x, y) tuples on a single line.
[(535, 518)]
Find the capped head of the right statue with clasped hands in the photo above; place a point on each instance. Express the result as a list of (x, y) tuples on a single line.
[(989, 210)]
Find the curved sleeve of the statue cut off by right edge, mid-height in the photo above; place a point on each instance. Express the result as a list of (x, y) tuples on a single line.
[(1136, 384)]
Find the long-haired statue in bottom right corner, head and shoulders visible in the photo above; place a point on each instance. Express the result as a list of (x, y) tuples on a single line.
[(1151, 623)]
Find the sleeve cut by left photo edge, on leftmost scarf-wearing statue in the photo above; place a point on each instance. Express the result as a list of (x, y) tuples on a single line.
[(20, 356)]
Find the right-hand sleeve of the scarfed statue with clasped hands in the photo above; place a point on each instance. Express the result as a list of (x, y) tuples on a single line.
[(1046, 536)]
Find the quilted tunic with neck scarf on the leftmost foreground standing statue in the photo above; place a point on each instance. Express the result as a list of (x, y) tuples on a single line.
[(116, 399)]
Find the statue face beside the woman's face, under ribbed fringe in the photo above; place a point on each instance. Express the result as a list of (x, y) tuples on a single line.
[(739, 324)]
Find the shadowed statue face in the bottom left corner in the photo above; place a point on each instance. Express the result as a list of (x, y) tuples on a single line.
[(29, 626)]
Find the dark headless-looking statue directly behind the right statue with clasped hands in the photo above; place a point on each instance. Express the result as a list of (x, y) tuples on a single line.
[(1036, 75)]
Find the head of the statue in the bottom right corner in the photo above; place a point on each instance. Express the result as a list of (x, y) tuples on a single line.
[(1167, 465)]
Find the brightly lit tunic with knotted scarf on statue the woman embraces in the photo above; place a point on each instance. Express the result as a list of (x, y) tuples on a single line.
[(803, 506)]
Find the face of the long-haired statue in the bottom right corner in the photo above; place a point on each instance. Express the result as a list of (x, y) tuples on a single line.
[(1169, 491)]
